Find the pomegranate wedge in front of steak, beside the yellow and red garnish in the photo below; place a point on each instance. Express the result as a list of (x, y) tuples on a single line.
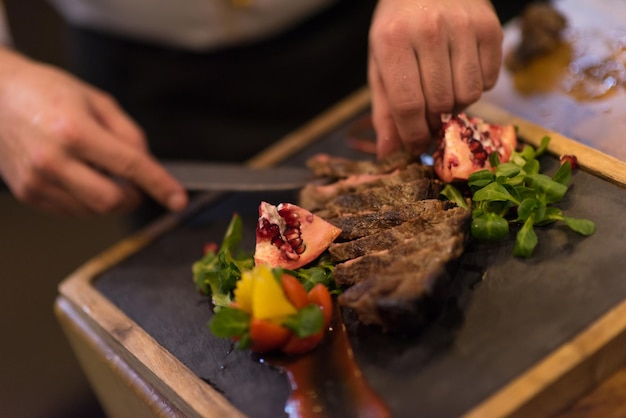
[(290, 237)]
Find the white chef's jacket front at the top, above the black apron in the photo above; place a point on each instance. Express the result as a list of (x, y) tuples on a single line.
[(190, 24)]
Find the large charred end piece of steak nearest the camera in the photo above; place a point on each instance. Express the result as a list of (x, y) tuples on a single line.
[(396, 292)]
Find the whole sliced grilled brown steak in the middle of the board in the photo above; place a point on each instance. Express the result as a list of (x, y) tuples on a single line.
[(398, 240)]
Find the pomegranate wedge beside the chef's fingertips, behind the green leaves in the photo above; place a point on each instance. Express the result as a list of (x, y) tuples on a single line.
[(465, 143)]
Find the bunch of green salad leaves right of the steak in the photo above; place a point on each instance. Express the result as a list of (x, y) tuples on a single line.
[(516, 192)]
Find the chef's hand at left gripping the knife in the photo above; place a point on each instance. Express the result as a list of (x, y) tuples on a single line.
[(66, 147)]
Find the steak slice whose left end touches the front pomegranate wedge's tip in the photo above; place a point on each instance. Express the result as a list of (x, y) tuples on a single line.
[(360, 224)]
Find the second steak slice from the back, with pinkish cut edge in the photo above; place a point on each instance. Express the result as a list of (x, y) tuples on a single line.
[(314, 197)]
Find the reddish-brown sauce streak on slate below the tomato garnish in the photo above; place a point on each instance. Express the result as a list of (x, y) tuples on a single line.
[(327, 381)]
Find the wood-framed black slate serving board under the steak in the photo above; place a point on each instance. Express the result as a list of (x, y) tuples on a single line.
[(518, 337)]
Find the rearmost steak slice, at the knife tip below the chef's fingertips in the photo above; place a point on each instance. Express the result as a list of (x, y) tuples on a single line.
[(324, 165)]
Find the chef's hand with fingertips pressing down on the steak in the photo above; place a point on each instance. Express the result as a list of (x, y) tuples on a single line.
[(428, 57)]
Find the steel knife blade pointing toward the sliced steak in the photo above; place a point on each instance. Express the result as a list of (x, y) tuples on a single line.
[(196, 176)]
